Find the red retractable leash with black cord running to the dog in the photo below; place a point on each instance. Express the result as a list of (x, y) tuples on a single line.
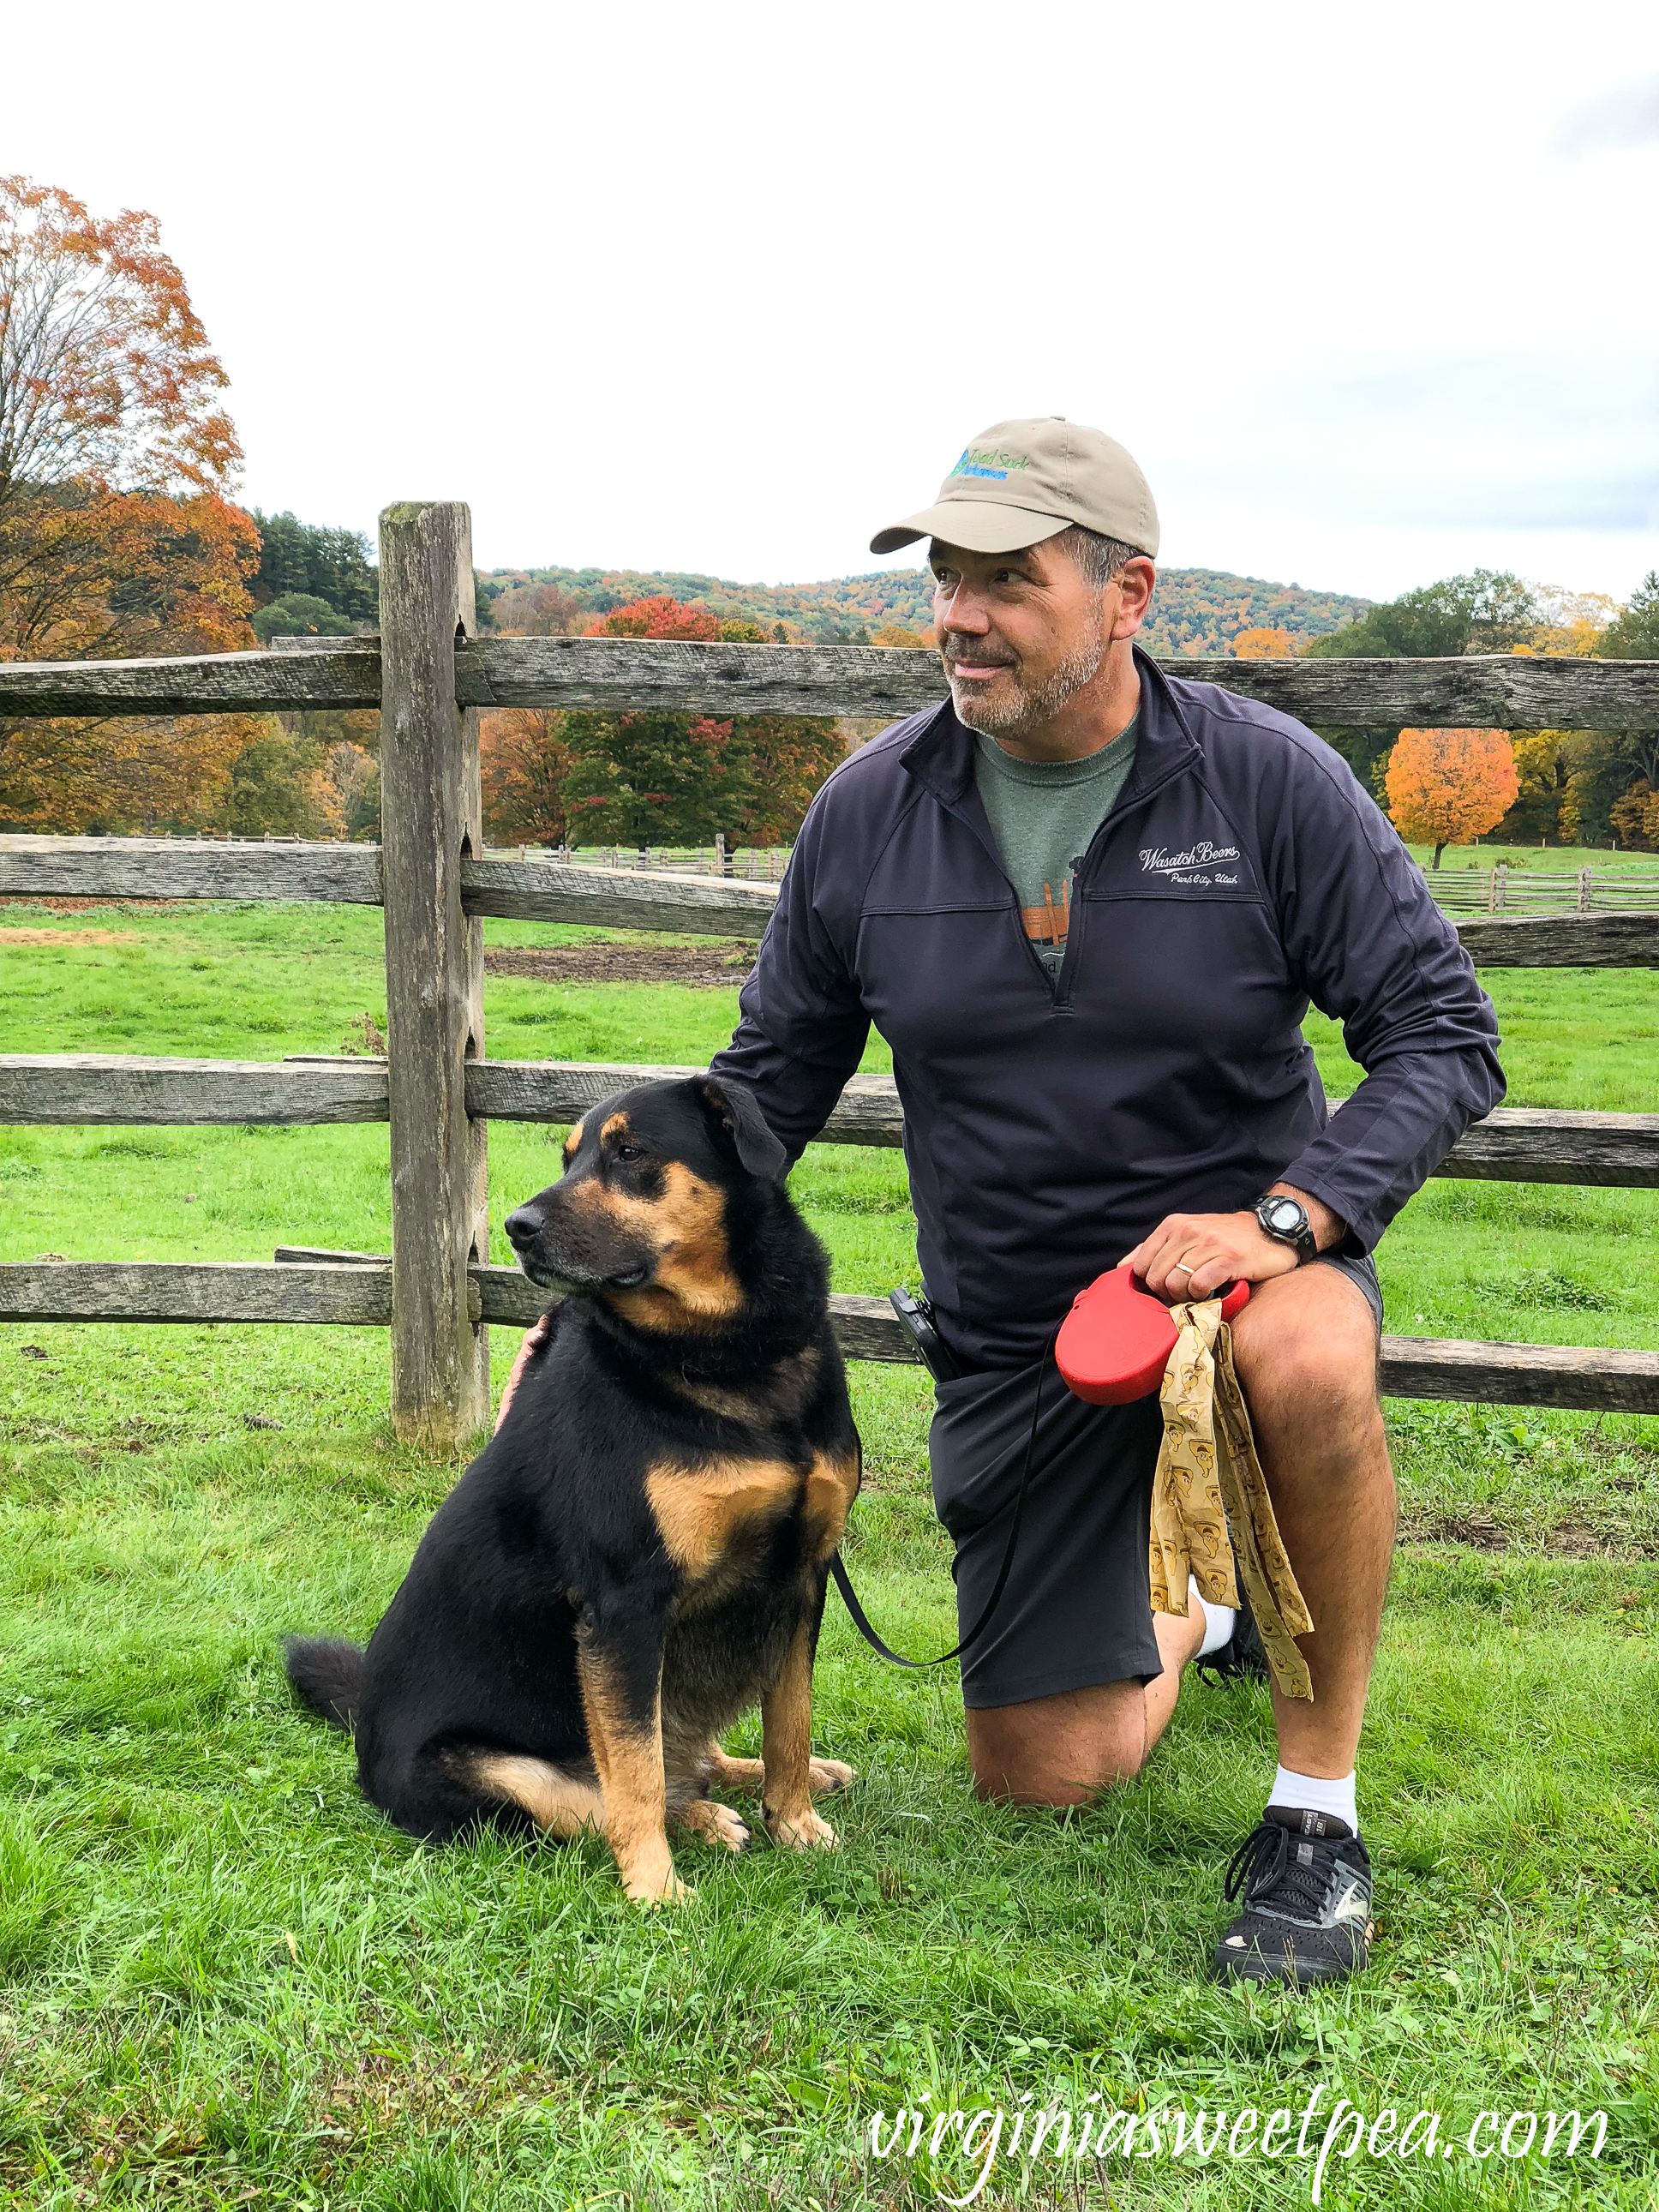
[(1112, 1348)]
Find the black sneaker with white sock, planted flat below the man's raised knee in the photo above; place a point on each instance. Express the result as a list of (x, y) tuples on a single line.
[(1306, 1884)]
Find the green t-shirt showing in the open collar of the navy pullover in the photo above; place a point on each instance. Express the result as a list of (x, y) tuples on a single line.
[(1045, 817)]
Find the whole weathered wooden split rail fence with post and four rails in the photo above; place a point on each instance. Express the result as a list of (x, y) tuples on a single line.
[(428, 671)]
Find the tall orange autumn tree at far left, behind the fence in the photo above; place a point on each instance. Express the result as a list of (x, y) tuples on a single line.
[(118, 534)]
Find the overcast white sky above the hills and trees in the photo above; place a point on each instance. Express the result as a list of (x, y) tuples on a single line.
[(1370, 293)]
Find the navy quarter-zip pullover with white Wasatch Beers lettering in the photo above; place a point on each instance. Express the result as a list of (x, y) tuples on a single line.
[(1052, 1123)]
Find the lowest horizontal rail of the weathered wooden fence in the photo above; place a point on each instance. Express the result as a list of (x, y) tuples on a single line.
[(357, 1291)]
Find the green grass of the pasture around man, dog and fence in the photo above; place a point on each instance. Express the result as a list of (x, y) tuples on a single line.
[(225, 1981)]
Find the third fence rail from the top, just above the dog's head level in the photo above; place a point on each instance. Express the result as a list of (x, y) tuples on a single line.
[(1519, 1145)]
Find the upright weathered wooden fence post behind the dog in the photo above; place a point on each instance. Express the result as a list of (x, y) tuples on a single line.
[(435, 977)]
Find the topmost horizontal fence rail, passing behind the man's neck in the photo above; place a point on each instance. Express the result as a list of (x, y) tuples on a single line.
[(1501, 691)]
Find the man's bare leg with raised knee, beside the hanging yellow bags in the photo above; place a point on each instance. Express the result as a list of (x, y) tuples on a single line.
[(1306, 1357)]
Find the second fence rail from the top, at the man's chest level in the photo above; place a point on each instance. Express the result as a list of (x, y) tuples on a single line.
[(616, 899)]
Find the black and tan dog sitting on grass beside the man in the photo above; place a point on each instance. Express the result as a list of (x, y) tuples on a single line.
[(640, 1554)]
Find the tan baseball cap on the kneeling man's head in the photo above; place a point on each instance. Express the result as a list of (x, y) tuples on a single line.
[(1021, 483)]
